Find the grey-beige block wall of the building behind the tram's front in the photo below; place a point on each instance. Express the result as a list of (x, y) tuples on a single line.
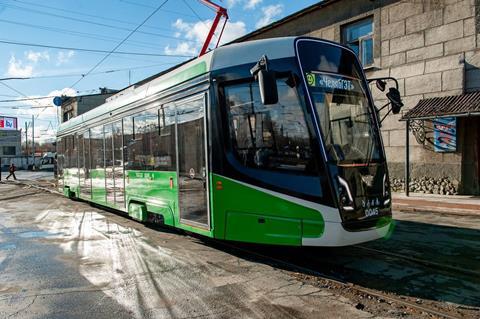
[(430, 46)]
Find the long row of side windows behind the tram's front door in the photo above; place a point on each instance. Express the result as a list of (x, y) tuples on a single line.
[(144, 141)]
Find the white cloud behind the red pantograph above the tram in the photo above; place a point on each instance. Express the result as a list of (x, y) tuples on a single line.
[(196, 34)]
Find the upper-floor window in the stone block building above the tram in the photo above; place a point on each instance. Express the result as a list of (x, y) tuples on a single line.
[(359, 37)]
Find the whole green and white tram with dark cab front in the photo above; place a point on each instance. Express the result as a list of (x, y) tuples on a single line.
[(291, 155)]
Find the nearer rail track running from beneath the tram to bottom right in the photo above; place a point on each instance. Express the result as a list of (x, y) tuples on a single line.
[(337, 280)]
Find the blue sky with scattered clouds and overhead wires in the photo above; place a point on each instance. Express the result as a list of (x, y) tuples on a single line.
[(40, 40)]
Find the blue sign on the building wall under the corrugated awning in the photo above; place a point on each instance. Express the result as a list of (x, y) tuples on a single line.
[(445, 135)]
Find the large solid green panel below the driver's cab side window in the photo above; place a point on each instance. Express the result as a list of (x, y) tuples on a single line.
[(253, 215)]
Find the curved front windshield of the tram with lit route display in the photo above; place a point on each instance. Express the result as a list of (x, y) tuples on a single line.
[(345, 116)]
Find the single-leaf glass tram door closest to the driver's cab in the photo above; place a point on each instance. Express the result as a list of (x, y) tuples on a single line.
[(192, 169)]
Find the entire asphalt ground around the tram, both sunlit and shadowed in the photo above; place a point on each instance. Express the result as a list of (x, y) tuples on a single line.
[(120, 268)]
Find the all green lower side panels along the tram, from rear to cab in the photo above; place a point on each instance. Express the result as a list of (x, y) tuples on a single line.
[(239, 212)]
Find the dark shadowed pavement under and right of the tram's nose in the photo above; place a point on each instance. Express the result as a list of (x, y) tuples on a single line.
[(430, 257)]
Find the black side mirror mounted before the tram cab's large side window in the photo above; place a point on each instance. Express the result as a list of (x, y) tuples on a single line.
[(267, 81)]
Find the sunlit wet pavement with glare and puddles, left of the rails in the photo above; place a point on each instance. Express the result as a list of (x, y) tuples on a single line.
[(65, 259)]
